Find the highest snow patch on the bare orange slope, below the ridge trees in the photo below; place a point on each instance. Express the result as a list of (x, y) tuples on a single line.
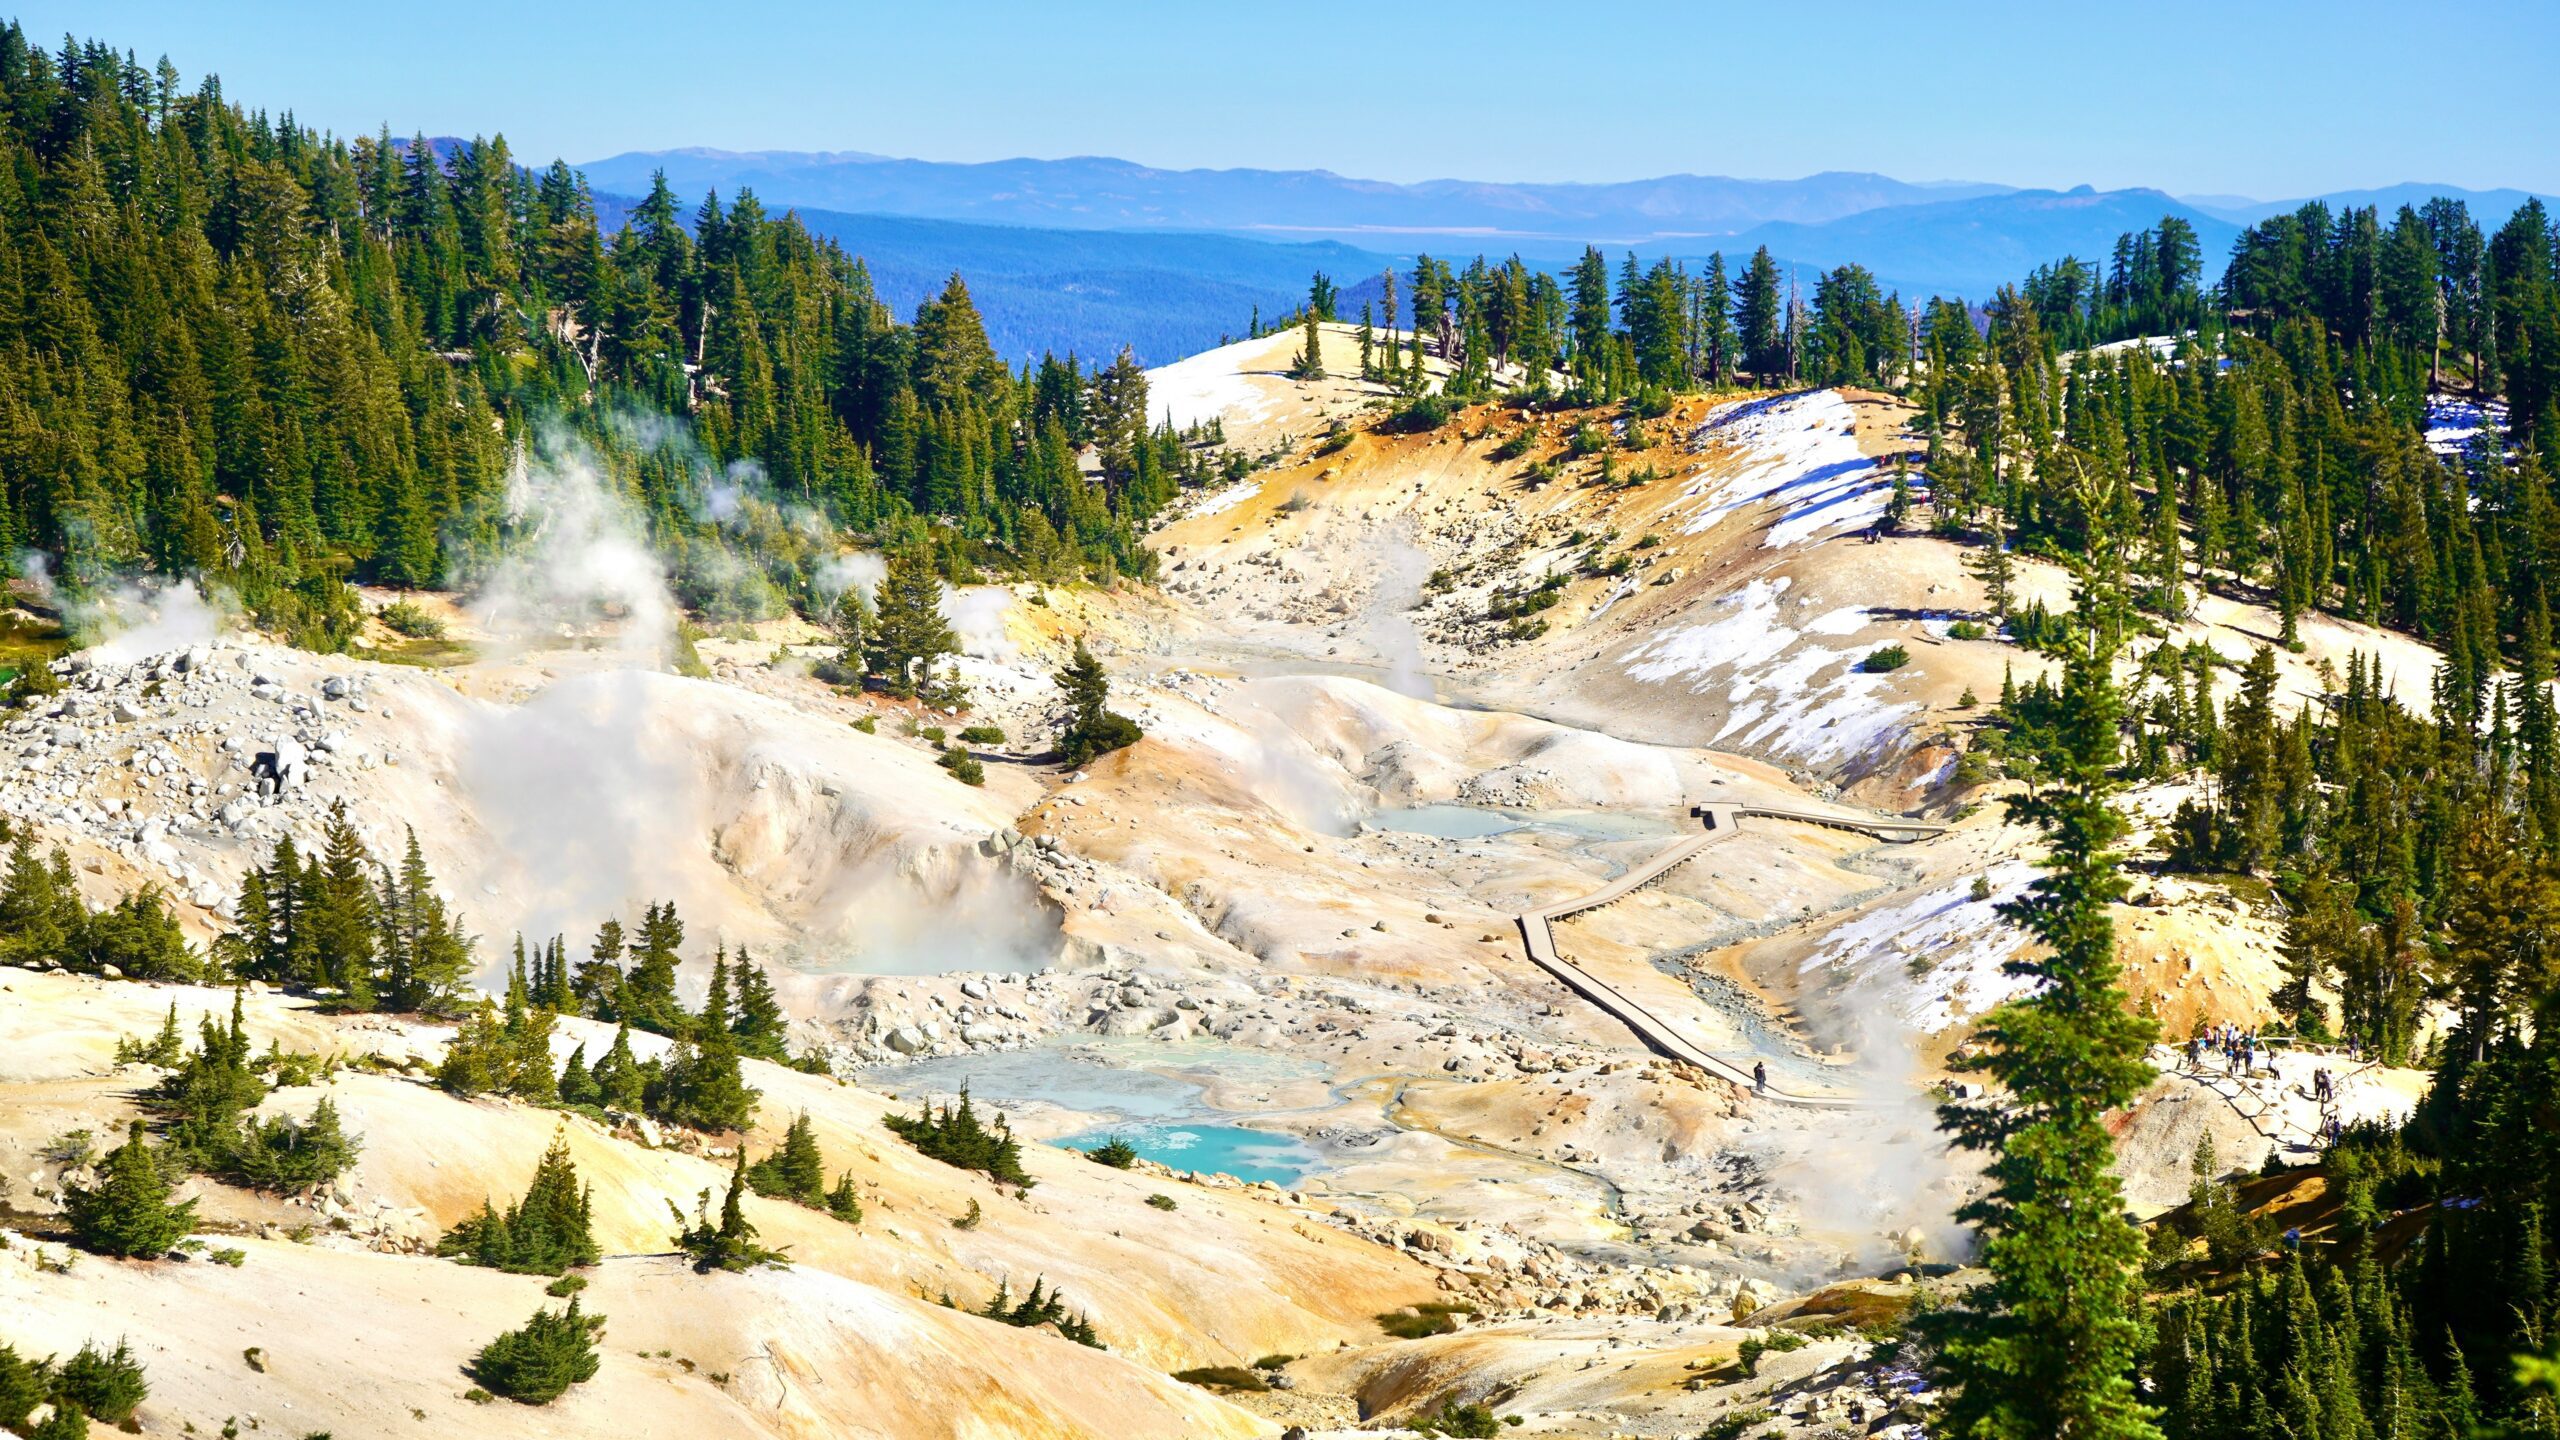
[(1798, 452)]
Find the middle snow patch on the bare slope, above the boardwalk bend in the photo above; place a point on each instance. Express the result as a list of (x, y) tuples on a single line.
[(1773, 683)]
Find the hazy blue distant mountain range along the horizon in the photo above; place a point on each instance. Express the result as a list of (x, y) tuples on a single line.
[(1092, 255)]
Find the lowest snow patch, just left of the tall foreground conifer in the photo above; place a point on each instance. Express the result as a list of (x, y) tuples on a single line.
[(1937, 957)]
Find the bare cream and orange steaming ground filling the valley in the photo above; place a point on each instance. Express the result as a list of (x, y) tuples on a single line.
[(1289, 908)]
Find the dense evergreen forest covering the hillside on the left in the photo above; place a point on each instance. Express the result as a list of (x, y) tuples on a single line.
[(285, 360)]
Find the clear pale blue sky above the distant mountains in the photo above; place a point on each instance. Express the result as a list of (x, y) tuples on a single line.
[(2236, 96)]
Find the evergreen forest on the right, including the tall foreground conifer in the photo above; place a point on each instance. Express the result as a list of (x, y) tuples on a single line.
[(2351, 414)]
